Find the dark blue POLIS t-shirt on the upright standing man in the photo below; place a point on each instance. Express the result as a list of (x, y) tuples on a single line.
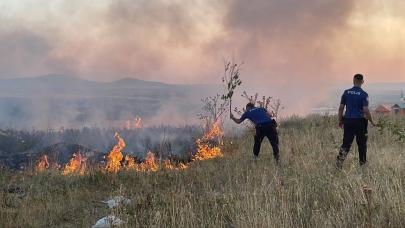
[(354, 99)]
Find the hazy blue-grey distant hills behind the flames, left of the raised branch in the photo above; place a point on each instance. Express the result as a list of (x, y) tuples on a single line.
[(52, 101)]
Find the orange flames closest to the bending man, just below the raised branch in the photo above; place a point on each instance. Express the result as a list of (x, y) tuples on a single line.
[(204, 149)]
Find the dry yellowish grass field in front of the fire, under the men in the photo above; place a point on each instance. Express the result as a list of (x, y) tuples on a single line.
[(230, 191)]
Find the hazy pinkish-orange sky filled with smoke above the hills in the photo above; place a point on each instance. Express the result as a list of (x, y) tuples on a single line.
[(289, 47)]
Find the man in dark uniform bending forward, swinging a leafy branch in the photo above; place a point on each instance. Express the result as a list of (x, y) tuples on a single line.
[(265, 127)]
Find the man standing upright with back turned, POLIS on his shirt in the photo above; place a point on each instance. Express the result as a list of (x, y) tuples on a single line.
[(354, 121)]
